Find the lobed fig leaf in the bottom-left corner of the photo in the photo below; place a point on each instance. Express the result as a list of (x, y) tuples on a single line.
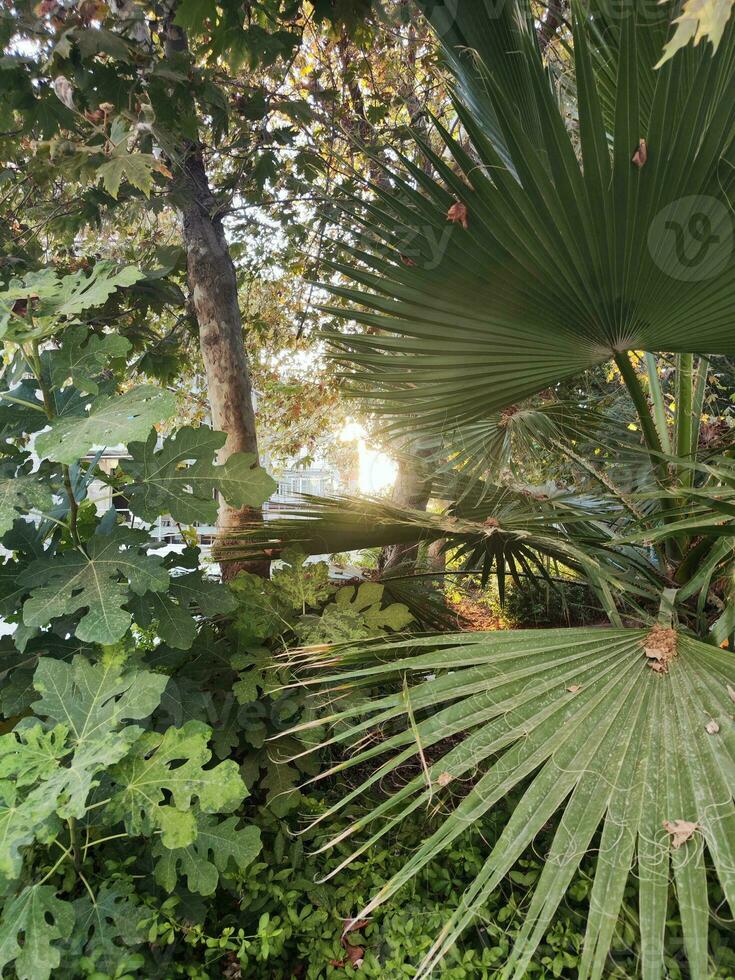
[(32, 926)]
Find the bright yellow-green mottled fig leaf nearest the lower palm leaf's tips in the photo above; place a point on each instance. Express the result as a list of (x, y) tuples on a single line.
[(171, 765)]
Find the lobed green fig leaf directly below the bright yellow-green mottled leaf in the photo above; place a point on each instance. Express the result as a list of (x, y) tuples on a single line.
[(217, 846)]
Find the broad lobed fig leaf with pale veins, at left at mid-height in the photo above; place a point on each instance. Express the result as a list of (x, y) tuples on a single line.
[(100, 580)]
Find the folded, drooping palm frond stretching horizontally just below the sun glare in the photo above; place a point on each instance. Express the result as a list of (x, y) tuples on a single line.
[(498, 530)]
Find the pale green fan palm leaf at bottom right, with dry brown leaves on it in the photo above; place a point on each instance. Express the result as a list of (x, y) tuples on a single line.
[(612, 750)]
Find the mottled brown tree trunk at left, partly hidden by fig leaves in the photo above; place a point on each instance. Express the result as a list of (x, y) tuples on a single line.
[(213, 291)]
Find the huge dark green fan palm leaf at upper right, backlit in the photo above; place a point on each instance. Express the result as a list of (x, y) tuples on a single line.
[(566, 262)]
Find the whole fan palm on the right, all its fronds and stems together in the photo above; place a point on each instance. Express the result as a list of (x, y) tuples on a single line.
[(542, 246)]
